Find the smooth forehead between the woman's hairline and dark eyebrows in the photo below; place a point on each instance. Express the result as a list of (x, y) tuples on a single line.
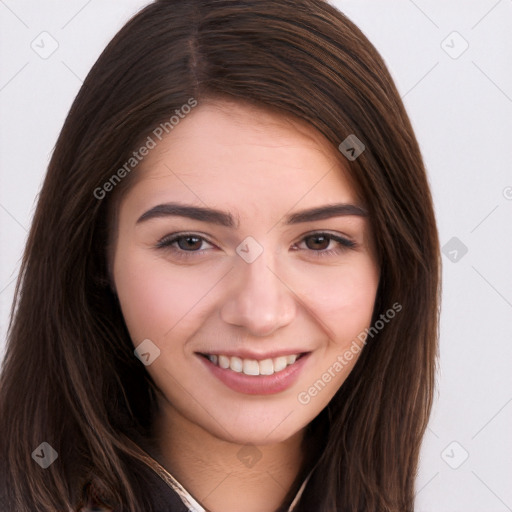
[(230, 154)]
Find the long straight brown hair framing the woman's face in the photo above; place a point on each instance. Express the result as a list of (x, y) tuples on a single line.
[(70, 378)]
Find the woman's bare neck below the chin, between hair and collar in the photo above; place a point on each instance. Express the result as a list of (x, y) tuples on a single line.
[(225, 476)]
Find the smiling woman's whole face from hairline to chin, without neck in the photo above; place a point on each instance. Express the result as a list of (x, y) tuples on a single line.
[(248, 290)]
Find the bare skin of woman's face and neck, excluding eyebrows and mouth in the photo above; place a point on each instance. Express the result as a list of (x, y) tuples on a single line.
[(260, 167)]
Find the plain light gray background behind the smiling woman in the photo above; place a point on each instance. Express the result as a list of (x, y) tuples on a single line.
[(461, 108)]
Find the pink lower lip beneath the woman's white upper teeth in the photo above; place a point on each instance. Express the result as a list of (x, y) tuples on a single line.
[(257, 384)]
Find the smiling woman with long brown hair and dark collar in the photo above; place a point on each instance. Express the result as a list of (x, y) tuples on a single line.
[(229, 295)]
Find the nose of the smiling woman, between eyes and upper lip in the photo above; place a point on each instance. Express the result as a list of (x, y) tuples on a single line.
[(259, 301)]
